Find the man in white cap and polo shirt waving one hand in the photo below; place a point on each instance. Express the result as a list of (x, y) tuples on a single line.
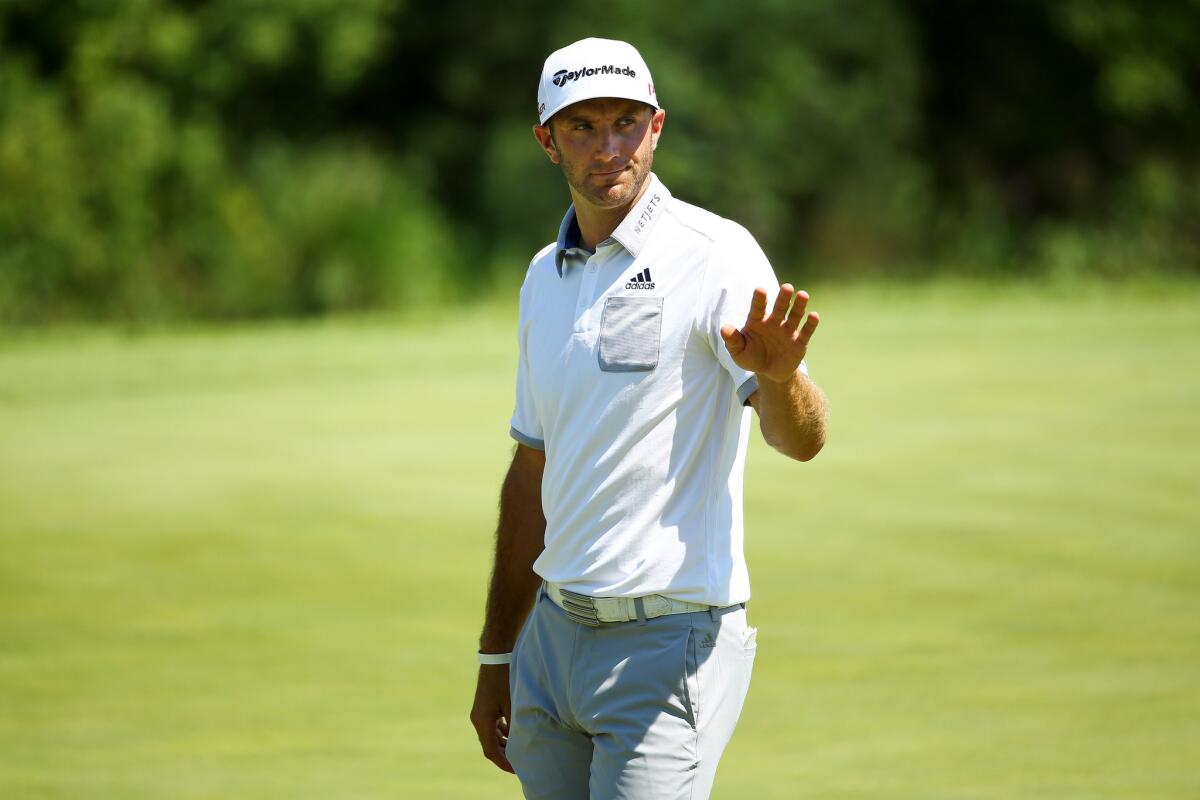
[(644, 334)]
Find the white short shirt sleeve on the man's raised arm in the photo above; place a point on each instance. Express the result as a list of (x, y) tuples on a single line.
[(736, 268)]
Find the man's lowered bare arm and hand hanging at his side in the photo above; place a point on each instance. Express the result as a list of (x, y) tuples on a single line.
[(520, 539)]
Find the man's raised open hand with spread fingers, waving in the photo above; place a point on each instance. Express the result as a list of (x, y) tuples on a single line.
[(773, 346)]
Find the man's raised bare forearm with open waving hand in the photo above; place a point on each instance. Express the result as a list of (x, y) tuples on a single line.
[(791, 408)]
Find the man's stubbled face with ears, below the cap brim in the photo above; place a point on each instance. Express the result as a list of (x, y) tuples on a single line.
[(605, 148)]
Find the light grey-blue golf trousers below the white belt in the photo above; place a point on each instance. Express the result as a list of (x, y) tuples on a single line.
[(638, 711)]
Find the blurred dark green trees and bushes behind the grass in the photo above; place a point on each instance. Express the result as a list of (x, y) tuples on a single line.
[(175, 159)]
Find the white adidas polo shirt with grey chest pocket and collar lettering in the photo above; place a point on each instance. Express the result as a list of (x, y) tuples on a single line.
[(625, 382)]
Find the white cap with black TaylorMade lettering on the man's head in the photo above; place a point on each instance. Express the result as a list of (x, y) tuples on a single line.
[(593, 68)]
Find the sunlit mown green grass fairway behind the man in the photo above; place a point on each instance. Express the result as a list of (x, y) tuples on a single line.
[(251, 563)]
